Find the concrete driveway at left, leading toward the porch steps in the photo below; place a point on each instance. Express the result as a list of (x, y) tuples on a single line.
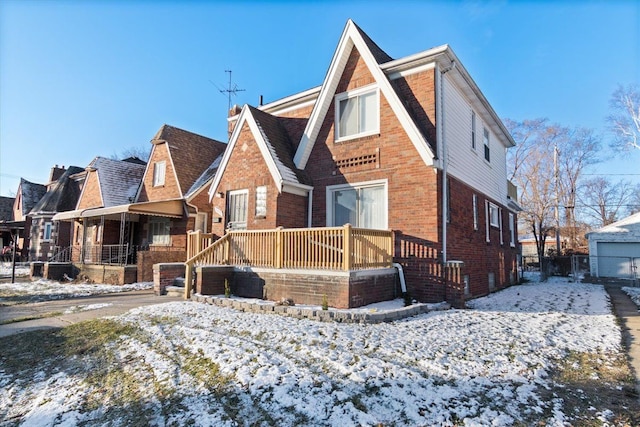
[(64, 312)]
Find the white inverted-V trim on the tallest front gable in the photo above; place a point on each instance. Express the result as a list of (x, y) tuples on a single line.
[(351, 38)]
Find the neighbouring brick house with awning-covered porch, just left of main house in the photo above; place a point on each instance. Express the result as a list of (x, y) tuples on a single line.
[(132, 214)]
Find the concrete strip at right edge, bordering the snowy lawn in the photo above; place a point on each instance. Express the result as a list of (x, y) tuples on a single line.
[(629, 316)]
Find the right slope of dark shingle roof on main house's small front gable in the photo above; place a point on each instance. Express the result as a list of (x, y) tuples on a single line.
[(281, 147)]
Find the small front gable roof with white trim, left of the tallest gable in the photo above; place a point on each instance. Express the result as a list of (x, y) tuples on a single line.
[(276, 148)]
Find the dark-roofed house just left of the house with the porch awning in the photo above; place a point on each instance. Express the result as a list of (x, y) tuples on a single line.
[(62, 195)]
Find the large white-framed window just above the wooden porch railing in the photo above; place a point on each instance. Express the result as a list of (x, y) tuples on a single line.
[(362, 205)]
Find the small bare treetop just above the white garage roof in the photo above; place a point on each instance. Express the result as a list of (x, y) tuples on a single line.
[(603, 201)]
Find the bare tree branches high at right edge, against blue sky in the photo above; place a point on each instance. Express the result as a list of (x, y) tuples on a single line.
[(624, 120)]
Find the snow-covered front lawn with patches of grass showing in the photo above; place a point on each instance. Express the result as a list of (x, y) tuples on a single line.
[(534, 354)]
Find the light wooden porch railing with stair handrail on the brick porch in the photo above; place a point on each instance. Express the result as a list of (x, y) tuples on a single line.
[(300, 248)]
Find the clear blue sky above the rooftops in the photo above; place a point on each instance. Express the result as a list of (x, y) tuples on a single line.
[(81, 79)]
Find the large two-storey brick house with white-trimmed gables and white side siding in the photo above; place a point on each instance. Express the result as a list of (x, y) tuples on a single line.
[(410, 145)]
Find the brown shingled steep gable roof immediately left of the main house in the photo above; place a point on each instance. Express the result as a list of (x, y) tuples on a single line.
[(190, 153)]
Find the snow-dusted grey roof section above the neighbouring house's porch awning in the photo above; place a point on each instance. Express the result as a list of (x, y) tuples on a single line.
[(118, 180)]
